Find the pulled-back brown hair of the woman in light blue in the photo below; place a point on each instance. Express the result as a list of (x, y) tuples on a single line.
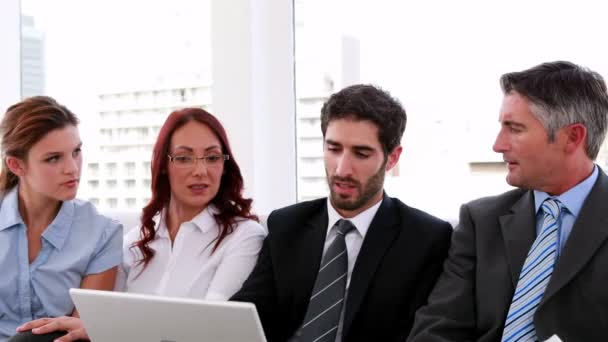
[(23, 125)]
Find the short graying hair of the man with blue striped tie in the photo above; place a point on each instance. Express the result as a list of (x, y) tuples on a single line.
[(563, 93)]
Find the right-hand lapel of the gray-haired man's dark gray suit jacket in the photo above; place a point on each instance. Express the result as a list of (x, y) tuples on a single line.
[(589, 232)]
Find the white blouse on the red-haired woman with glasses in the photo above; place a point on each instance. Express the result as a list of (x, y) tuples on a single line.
[(188, 269)]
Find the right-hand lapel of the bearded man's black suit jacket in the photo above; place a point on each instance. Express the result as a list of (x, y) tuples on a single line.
[(382, 231)]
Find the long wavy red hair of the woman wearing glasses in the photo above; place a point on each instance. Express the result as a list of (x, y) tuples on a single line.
[(229, 200)]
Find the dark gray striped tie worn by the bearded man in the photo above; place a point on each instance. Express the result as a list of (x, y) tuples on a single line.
[(323, 314)]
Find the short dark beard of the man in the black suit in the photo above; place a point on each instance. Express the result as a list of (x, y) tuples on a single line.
[(366, 191)]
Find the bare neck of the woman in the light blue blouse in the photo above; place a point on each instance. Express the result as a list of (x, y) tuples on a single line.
[(37, 211)]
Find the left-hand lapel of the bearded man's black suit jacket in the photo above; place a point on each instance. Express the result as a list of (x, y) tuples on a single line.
[(307, 251)]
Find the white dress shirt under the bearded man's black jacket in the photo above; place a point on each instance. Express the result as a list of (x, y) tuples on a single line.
[(353, 240)]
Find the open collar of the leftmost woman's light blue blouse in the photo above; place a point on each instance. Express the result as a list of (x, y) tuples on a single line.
[(56, 233)]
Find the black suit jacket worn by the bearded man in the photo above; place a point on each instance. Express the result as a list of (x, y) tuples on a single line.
[(397, 266)]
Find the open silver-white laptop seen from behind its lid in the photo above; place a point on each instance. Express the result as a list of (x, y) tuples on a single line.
[(116, 317)]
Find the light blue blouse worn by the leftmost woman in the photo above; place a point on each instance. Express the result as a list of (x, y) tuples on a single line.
[(78, 242)]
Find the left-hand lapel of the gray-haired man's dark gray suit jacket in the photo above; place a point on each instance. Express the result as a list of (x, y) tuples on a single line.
[(519, 232)]
